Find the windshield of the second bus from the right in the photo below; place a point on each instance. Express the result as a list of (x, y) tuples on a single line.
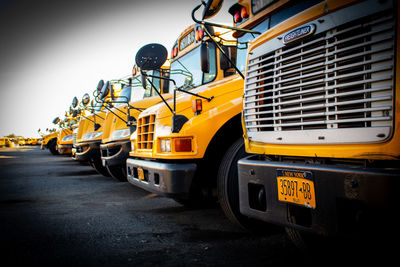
[(186, 71)]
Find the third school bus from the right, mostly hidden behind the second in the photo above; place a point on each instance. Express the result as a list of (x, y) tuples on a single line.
[(120, 121)]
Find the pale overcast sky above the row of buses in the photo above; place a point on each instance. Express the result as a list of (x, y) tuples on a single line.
[(53, 50)]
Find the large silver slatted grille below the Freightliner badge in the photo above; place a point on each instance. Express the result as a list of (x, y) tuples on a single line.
[(336, 81)]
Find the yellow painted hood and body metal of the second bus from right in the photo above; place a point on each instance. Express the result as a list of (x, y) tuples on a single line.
[(200, 128)]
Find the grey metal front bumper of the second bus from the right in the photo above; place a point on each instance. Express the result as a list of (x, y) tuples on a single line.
[(167, 179)]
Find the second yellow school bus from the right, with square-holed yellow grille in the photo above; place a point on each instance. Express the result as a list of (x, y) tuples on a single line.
[(180, 145)]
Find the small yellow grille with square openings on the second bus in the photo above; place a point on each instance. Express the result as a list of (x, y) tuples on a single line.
[(145, 132)]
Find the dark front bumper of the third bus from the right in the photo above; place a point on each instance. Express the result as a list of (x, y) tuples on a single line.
[(116, 153)]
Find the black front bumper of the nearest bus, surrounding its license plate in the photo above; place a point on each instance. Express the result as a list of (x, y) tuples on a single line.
[(347, 199)]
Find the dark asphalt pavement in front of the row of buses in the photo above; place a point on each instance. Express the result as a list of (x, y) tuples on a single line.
[(57, 212)]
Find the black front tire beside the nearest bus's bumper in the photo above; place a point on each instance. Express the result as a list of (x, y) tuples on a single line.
[(228, 188)]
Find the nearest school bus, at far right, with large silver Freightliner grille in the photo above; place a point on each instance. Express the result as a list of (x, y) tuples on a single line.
[(319, 114)]
